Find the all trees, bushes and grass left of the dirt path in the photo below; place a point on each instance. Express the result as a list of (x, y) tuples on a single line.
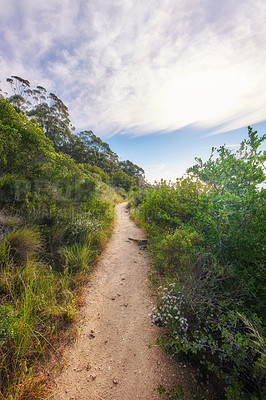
[(57, 191)]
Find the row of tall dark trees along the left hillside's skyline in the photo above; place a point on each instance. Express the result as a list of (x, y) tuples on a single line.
[(51, 114)]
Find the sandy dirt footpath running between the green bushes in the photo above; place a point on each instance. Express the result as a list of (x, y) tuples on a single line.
[(111, 359)]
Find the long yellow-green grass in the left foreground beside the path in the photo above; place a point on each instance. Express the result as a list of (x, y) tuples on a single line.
[(35, 303)]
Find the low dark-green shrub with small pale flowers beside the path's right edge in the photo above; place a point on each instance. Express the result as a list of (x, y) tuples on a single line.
[(212, 336)]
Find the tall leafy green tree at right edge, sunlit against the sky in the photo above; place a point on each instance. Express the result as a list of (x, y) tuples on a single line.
[(231, 212)]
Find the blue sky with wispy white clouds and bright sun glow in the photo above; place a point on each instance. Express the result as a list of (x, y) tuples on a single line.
[(160, 81)]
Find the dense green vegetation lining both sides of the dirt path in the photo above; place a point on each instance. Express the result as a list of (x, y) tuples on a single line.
[(206, 235)]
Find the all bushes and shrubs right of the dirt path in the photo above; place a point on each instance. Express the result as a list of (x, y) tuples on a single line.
[(207, 241)]
